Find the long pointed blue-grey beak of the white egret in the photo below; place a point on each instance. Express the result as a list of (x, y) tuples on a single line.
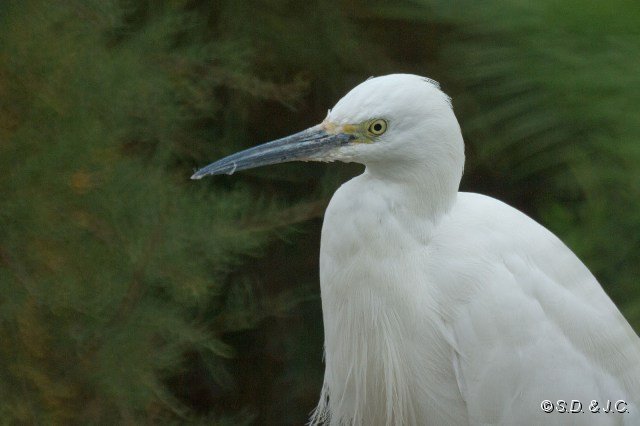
[(310, 144)]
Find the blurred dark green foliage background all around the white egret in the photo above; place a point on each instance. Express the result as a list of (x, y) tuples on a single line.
[(132, 295)]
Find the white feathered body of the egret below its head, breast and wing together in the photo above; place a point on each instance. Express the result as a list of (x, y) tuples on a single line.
[(475, 319)]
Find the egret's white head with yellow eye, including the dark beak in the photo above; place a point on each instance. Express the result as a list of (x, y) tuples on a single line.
[(391, 124)]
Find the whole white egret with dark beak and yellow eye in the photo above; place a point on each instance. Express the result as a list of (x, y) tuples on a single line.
[(443, 307)]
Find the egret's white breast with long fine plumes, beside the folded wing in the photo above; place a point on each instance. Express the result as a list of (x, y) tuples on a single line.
[(384, 346)]
